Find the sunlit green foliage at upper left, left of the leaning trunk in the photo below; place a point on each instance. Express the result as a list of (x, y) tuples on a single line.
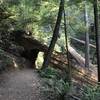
[(32, 15)]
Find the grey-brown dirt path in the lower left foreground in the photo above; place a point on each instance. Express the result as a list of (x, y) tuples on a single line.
[(20, 85)]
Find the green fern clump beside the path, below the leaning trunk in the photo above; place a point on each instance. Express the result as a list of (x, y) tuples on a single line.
[(54, 80)]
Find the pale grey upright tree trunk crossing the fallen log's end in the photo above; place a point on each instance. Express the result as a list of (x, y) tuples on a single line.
[(87, 50)]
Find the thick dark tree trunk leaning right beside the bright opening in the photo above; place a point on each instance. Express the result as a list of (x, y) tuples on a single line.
[(55, 35)]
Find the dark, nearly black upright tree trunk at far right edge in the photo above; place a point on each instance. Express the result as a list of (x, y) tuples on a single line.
[(97, 32)]
